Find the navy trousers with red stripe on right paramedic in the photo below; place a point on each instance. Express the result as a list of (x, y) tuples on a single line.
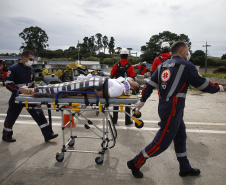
[(172, 129)]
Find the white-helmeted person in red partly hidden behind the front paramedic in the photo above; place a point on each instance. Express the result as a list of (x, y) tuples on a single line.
[(165, 47)]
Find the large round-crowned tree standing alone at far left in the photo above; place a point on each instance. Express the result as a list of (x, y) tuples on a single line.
[(35, 39)]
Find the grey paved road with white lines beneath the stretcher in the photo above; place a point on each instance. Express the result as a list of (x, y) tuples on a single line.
[(32, 161)]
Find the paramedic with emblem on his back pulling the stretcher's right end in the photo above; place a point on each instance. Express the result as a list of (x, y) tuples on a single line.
[(172, 79)]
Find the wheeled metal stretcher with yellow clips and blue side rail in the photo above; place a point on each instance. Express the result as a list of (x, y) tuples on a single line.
[(77, 105)]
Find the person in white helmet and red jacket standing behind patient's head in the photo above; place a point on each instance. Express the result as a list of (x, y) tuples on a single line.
[(122, 69)]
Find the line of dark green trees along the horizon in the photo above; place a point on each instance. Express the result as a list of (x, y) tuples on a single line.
[(95, 47)]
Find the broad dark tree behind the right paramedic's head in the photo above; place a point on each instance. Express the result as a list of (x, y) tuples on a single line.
[(152, 49)]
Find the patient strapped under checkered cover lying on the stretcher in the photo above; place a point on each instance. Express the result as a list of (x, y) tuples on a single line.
[(102, 86)]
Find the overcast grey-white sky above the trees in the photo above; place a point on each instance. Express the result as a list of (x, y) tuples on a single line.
[(131, 22)]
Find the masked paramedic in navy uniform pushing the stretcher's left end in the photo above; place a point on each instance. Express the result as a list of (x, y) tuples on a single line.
[(21, 74)]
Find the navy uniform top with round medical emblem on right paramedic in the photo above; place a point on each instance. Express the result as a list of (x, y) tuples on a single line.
[(172, 79)]
